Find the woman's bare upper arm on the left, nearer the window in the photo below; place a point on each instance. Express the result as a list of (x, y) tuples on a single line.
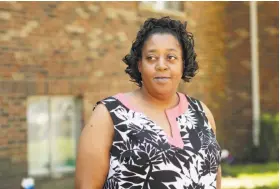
[(93, 157)]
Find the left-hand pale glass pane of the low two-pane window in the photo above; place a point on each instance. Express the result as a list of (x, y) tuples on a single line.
[(38, 146)]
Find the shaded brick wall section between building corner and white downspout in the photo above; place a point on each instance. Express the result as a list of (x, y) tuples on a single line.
[(237, 110)]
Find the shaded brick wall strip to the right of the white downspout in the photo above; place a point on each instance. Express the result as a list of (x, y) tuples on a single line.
[(269, 55)]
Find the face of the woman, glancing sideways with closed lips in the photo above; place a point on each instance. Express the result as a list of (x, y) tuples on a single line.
[(161, 65)]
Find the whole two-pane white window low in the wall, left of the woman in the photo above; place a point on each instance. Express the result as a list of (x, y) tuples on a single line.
[(54, 125)]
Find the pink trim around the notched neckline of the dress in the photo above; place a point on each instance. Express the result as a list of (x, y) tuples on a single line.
[(171, 114)]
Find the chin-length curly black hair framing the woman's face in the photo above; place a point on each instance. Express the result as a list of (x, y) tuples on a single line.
[(162, 25)]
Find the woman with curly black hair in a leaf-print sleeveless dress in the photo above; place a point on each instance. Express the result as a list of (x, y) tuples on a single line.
[(153, 137)]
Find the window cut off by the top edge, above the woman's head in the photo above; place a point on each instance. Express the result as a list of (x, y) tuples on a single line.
[(164, 5)]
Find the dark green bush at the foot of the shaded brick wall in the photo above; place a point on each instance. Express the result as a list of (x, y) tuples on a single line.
[(268, 150)]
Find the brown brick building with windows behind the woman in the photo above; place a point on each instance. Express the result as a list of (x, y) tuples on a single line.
[(55, 60)]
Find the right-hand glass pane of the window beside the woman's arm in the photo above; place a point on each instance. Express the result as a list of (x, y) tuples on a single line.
[(65, 122)]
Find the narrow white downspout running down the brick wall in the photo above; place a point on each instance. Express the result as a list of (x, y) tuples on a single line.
[(255, 72)]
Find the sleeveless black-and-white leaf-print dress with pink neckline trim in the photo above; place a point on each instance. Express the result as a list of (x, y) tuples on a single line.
[(143, 156)]
